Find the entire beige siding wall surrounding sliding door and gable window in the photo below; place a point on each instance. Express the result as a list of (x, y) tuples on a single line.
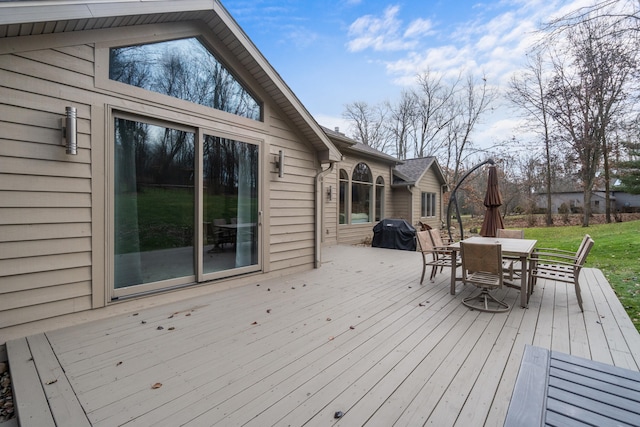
[(53, 226)]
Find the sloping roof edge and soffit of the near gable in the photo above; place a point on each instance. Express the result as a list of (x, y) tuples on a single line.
[(25, 18)]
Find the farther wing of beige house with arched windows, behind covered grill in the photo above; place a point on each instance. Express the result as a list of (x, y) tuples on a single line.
[(368, 186)]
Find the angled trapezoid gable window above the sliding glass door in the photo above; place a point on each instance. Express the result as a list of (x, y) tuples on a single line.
[(183, 69)]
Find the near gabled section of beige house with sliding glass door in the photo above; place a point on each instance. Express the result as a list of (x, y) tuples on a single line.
[(177, 180)]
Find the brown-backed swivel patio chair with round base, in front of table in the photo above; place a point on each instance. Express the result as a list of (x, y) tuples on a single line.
[(482, 267)]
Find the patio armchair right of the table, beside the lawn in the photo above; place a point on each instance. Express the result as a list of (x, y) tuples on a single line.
[(560, 265)]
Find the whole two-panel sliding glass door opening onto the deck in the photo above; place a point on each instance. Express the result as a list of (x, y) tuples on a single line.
[(176, 189)]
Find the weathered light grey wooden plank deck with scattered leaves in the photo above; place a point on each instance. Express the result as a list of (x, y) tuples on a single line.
[(359, 335)]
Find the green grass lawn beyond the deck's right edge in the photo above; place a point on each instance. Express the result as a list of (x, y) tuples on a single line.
[(616, 252)]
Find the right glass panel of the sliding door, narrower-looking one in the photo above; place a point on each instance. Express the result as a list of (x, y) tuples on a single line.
[(230, 204)]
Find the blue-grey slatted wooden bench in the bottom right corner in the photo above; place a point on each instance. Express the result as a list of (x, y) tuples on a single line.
[(554, 388)]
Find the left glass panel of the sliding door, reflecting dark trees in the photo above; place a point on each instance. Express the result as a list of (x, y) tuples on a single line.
[(154, 204)]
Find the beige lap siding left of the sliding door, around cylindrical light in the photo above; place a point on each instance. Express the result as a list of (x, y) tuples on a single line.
[(45, 195)]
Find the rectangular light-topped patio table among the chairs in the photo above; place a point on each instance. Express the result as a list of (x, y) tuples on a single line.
[(511, 248)]
